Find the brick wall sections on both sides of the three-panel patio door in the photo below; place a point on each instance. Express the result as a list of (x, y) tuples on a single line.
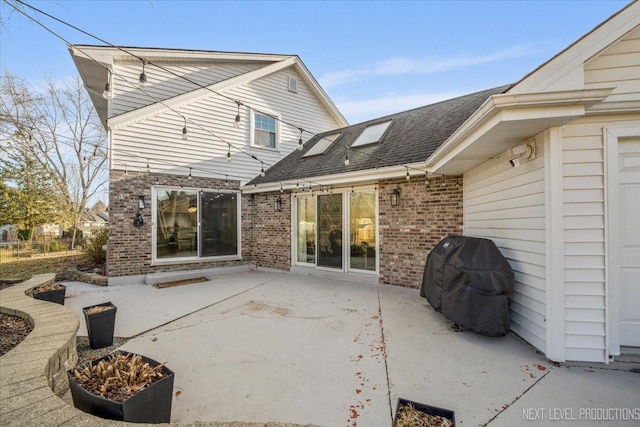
[(407, 232)]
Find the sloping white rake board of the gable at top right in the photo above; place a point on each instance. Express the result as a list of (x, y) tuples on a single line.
[(575, 55)]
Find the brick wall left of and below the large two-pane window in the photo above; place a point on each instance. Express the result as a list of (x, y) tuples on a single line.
[(129, 250)]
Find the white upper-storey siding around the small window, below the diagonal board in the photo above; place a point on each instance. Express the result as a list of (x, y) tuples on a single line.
[(210, 126)]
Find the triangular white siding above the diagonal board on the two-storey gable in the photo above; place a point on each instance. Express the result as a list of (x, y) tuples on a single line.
[(163, 84)]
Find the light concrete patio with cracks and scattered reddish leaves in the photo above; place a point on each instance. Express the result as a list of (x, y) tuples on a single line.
[(269, 346)]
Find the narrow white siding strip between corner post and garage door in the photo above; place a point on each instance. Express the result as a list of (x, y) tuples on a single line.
[(584, 237)]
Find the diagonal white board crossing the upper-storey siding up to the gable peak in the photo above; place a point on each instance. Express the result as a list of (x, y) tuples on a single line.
[(187, 98)]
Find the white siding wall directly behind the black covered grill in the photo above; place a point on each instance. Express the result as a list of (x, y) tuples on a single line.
[(507, 205)]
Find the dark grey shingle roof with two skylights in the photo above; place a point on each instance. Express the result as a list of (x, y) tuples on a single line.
[(411, 138)]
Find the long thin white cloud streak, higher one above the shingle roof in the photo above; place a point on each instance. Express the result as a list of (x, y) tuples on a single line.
[(433, 64)]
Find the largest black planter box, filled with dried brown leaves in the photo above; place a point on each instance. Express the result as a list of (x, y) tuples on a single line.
[(150, 405)]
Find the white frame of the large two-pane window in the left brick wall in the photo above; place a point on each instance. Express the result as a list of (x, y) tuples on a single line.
[(184, 260)]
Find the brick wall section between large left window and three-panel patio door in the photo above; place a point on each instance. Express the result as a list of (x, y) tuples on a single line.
[(266, 233)]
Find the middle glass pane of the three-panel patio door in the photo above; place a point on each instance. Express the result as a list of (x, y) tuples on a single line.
[(330, 231)]
